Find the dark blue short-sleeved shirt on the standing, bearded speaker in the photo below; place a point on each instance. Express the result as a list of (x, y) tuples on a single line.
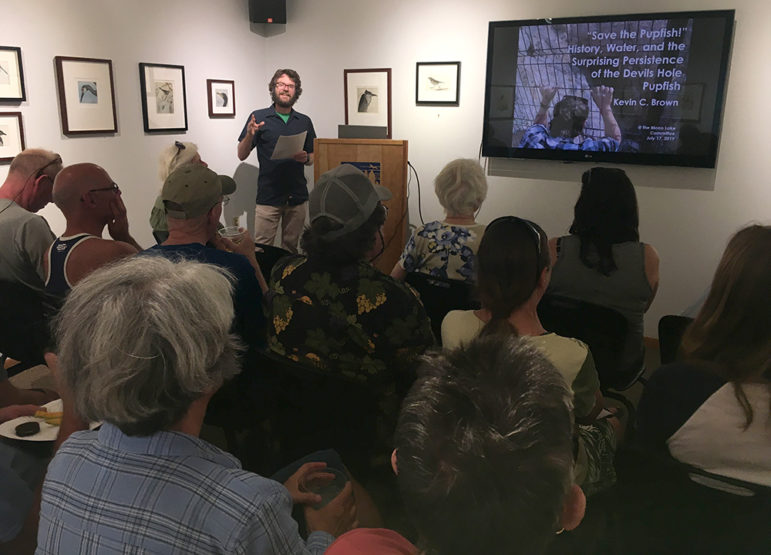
[(280, 182)]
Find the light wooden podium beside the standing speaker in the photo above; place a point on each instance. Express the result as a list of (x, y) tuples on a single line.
[(385, 162)]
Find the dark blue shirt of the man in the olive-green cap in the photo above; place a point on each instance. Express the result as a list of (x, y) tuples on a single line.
[(249, 320)]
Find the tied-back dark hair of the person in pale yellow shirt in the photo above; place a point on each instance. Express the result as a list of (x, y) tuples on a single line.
[(511, 256)]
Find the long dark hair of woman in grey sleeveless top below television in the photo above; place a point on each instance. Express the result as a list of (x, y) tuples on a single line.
[(605, 214)]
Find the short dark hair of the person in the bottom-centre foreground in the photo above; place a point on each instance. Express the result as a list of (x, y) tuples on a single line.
[(484, 449)]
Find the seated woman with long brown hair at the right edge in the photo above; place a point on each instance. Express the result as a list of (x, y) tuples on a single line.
[(711, 411)]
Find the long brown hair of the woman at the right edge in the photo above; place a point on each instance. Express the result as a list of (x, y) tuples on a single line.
[(733, 327)]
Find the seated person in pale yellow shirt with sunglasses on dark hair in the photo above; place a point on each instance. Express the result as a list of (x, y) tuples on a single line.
[(512, 274)]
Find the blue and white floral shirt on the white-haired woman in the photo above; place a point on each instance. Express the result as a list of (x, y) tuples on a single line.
[(443, 250)]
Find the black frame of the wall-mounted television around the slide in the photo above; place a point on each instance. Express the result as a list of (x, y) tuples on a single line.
[(707, 160)]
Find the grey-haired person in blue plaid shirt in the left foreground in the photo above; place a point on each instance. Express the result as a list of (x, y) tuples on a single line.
[(142, 345)]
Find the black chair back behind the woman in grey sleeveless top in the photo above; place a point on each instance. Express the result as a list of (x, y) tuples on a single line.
[(603, 329)]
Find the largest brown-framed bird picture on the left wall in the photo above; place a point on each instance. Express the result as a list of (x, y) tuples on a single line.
[(86, 95)]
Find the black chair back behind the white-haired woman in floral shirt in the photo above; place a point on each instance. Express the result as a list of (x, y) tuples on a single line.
[(440, 296)]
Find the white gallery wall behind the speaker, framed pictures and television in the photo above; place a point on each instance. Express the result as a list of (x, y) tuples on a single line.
[(686, 213)]
